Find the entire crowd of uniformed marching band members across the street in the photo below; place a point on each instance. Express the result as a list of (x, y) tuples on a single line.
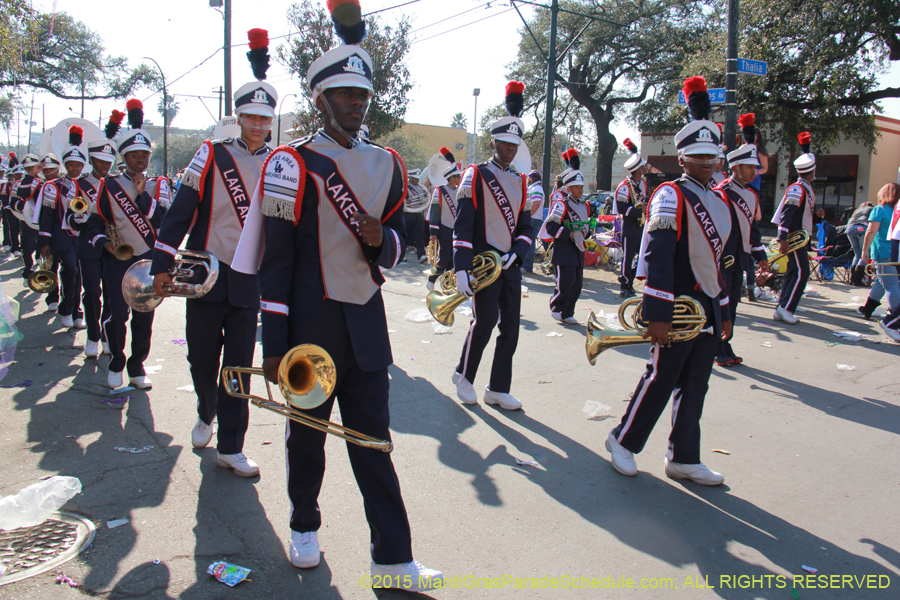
[(300, 236)]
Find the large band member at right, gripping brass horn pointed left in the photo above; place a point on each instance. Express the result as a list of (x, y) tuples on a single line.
[(682, 247)]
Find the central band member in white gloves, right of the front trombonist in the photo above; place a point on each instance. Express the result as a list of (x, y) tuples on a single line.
[(493, 216)]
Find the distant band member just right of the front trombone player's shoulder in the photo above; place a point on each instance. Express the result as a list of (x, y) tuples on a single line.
[(442, 216)]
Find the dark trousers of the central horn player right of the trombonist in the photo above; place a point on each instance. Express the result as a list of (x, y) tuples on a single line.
[(502, 299)]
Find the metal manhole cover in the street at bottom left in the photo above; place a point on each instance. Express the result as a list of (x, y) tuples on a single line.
[(28, 551)]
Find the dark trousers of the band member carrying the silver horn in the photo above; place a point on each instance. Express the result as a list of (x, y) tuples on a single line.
[(215, 329)]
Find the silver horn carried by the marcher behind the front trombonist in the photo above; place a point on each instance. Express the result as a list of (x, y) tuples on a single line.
[(137, 285)]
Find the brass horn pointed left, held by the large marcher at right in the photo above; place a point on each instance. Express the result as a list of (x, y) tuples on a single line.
[(687, 323)]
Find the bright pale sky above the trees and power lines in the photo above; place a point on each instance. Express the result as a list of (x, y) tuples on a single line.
[(458, 46)]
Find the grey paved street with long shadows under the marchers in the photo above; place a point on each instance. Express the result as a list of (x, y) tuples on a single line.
[(811, 478)]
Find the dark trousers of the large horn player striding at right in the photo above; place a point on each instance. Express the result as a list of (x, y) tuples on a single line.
[(684, 369)]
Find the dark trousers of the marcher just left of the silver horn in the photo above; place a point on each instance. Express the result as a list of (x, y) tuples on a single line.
[(119, 312)]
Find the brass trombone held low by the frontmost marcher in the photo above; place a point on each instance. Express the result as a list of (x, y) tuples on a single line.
[(306, 378)]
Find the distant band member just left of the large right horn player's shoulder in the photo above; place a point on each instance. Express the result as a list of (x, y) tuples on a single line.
[(630, 197)]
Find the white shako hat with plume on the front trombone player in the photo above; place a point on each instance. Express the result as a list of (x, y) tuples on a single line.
[(347, 65)]
